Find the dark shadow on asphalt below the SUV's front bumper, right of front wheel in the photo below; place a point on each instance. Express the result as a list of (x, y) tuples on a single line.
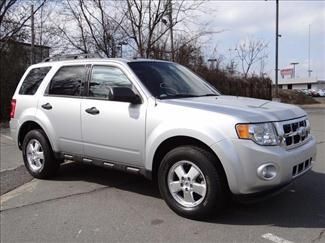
[(301, 205)]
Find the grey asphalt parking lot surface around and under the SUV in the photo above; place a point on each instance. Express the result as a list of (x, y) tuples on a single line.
[(86, 203)]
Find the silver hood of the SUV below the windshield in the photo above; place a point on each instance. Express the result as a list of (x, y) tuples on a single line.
[(245, 109)]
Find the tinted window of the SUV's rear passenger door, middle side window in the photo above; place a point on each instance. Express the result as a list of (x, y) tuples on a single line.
[(68, 81)]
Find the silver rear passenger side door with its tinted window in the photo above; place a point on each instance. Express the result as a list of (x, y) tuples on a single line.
[(60, 107)]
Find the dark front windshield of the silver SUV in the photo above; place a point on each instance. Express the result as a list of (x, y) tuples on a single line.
[(167, 80)]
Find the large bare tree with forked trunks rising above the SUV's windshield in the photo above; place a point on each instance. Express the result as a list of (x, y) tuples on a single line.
[(149, 22)]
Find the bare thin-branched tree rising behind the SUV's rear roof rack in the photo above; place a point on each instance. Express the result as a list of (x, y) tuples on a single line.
[(98, 27)]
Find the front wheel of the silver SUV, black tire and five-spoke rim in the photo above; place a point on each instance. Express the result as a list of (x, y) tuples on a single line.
[(203, 192)]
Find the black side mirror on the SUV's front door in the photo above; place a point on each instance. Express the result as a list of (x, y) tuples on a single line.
[(124, 94)]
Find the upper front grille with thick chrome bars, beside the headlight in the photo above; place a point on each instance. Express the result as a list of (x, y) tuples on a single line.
[(296, 132)]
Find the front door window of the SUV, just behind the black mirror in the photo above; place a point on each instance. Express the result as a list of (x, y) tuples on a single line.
[(105, 77)]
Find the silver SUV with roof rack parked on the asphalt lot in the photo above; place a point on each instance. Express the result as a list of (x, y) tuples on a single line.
[(160, 120)]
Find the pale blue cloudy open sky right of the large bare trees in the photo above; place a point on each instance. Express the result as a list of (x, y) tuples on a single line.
[(240, 20)]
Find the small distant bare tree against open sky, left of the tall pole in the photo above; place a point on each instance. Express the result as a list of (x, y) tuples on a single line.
[(249, 52)]
